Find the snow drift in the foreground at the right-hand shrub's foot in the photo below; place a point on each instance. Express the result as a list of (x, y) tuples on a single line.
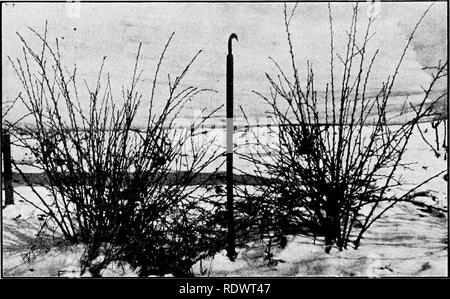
[(405, 242)]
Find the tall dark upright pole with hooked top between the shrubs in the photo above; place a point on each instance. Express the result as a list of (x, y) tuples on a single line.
[(231, 252)]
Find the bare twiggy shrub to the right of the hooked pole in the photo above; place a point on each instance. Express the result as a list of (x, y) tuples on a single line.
[(336, 157)]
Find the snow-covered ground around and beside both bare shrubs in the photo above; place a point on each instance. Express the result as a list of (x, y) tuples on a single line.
[(409, 240)]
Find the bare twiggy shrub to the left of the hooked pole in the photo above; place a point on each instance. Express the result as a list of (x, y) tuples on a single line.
[(129, 194)]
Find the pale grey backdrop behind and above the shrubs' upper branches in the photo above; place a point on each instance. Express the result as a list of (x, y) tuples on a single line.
[(89, 31)]
